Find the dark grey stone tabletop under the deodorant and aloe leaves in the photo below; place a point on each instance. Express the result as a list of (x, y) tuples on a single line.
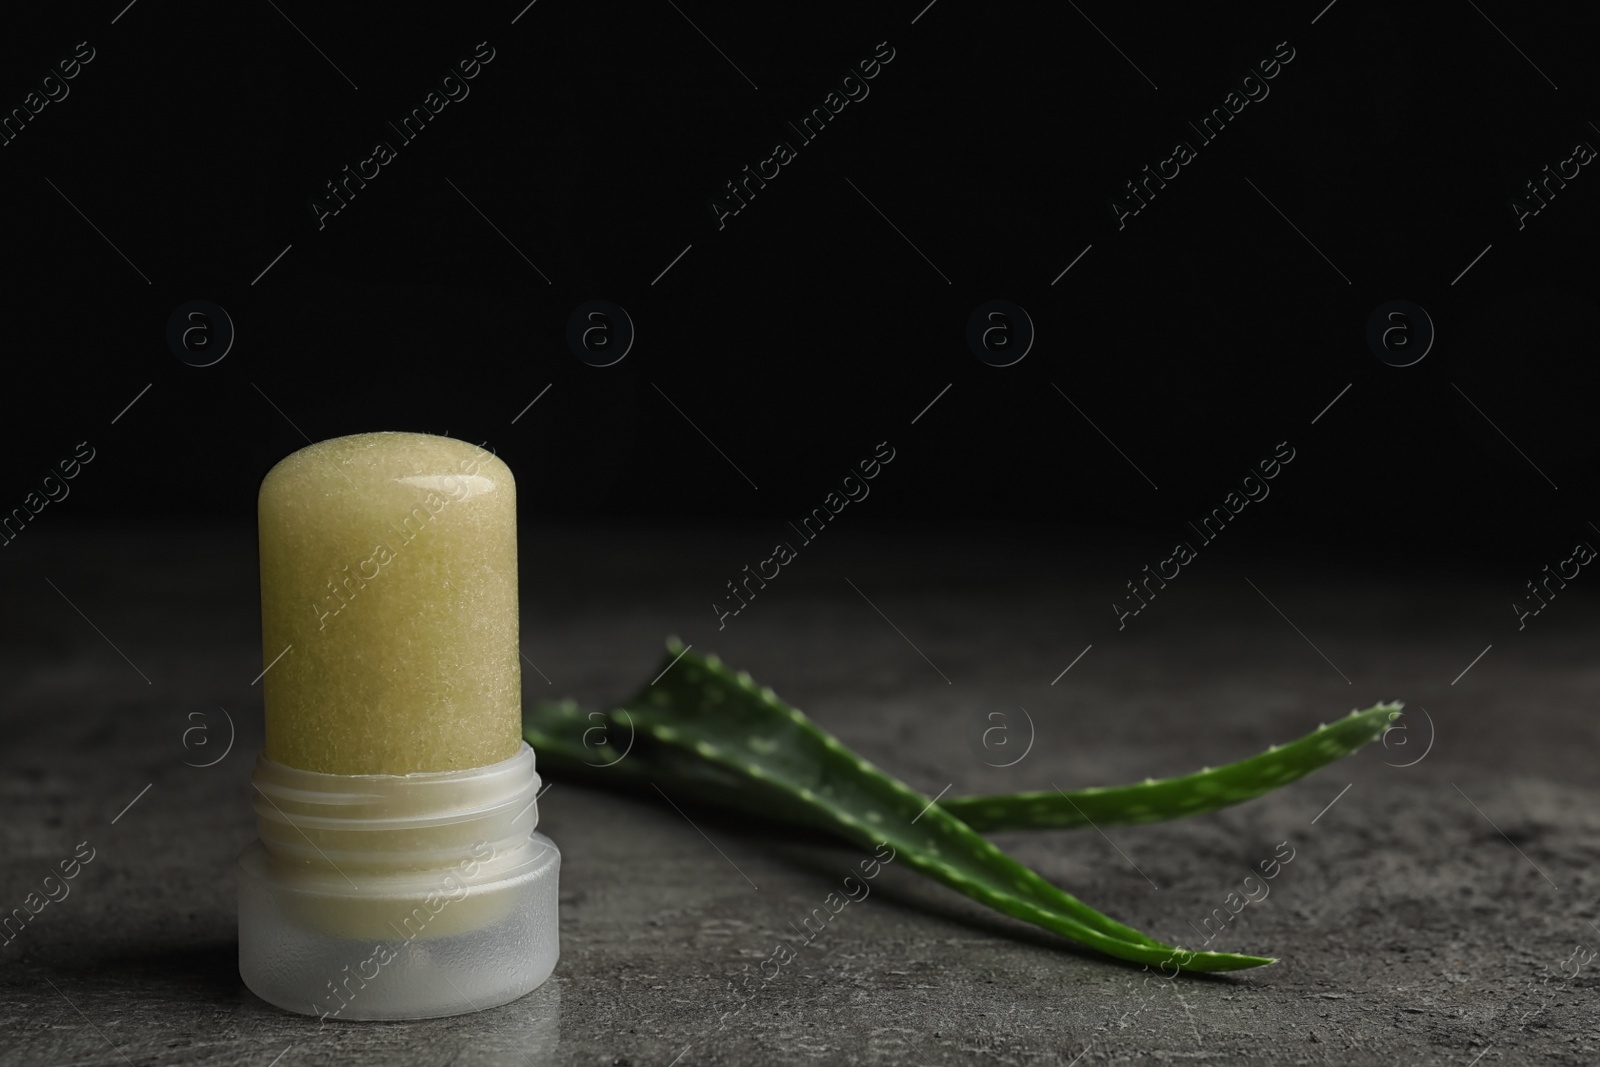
[(1430, 916)]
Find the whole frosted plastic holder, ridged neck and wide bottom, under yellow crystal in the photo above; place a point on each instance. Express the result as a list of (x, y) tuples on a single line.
[(398, 897)]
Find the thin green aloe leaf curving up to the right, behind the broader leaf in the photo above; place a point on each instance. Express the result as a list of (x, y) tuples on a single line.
[(1175, 797)]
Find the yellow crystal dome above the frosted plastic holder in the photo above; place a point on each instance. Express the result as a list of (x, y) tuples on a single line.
[(390, 591)]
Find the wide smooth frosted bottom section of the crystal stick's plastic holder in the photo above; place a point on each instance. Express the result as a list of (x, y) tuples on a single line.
[(294, 962)]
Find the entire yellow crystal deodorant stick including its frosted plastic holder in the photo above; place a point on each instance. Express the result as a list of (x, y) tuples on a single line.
[(399, 874)]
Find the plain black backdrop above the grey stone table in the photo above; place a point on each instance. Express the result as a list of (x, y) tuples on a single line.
[(809, 329)]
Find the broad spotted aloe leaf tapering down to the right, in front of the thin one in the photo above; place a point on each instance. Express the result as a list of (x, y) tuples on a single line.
[(713, 733)]
